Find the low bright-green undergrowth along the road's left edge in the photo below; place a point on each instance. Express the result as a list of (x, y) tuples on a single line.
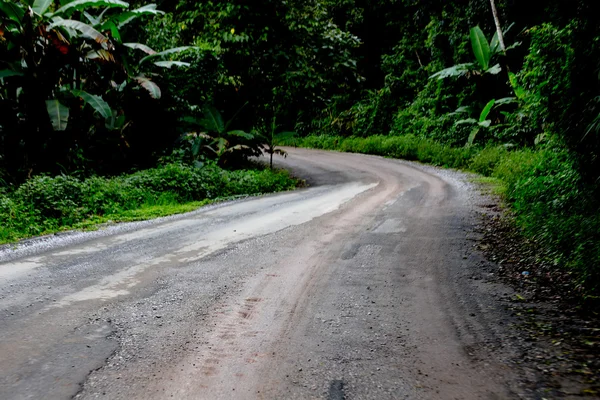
[(46, 204)]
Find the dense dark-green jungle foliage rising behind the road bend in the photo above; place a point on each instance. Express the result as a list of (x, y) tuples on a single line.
[(106, 87)]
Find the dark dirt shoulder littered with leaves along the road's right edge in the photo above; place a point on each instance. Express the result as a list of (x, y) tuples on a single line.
[(557, 336)]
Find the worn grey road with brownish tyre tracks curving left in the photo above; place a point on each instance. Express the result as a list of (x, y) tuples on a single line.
[(359, 287)]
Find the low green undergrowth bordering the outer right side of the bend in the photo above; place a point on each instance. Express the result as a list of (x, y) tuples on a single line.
[(551, 202)]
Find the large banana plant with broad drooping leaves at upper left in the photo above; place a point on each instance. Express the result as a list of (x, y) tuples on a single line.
[(46, 32)]
